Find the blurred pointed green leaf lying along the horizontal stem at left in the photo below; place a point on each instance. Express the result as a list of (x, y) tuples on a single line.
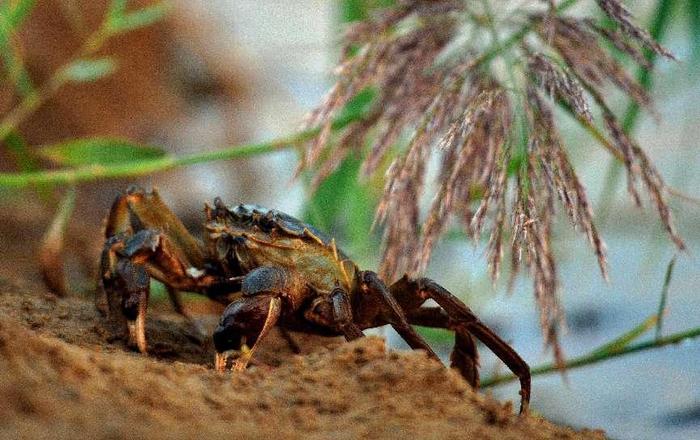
[(97, 151)]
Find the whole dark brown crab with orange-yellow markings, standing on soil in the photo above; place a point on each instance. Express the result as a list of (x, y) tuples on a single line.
[(271, 269)]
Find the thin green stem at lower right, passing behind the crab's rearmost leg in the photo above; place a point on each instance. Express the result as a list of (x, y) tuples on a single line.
[(598, 356)]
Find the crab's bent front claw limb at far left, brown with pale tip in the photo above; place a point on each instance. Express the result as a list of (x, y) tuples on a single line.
[(143, 238)]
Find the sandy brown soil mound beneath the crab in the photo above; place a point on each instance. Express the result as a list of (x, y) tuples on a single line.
[(62, 375)]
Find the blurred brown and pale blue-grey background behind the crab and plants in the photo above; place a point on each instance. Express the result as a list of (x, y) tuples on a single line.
[(217, 73)]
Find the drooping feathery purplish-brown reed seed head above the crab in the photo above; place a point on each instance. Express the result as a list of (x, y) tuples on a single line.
[(503, 163)]
